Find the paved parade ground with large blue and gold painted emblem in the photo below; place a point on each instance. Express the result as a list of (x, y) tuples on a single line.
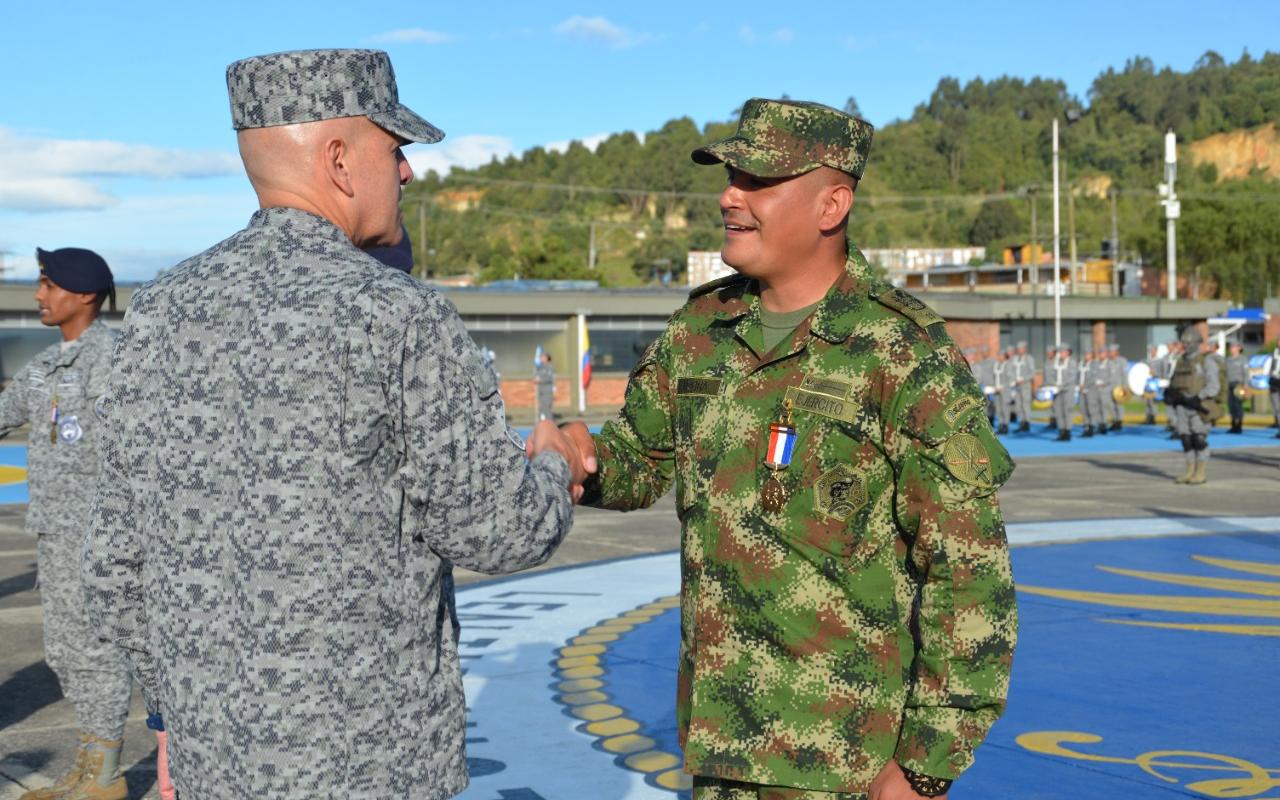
[(1146, 668)]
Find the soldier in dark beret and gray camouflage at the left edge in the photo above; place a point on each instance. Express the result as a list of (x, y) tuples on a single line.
[(56, 395)]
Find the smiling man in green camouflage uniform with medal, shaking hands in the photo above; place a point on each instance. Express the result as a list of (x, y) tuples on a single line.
[(807, 568)]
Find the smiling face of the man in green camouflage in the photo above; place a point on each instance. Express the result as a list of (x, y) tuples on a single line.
[(767, 222)]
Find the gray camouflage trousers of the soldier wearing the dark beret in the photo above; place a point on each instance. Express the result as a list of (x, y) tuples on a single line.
[(94, 675)]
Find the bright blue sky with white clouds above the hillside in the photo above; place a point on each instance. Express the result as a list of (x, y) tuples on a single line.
[(116, 134)]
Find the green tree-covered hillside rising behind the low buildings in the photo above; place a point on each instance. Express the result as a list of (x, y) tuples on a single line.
[(966, 168)]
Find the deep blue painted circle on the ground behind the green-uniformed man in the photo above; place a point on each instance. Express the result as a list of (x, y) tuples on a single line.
[(1141, 691)]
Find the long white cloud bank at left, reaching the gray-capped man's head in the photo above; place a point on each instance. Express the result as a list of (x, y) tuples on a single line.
[(44, 175)]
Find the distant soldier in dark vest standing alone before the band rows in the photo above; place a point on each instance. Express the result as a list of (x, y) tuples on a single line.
[(1192, 396)]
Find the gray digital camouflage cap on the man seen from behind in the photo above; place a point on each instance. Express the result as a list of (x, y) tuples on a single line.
[(312, 85)]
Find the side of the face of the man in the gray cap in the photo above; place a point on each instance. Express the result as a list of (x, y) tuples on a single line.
[(380, 173)]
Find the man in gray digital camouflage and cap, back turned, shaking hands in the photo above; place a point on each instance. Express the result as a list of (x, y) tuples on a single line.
[(299, 447)]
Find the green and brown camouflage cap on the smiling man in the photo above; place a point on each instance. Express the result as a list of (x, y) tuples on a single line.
[(779, 139)]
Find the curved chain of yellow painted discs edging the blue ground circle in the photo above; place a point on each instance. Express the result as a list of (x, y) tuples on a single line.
[(587, 698)]
